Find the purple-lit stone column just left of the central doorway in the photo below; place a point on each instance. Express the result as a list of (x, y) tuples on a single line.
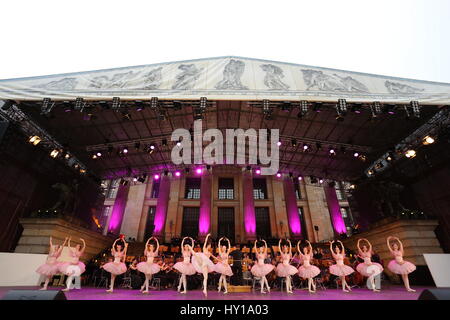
[(204, 221)]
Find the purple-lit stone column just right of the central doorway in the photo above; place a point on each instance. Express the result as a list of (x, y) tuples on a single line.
[(249, 206)]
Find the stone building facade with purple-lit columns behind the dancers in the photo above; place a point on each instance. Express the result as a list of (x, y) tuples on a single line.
[(225, 201)]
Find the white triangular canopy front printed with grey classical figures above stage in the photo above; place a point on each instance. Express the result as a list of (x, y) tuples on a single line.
[(226, 78)]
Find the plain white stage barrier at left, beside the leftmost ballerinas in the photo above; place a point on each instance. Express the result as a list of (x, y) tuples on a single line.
[(19, 269)]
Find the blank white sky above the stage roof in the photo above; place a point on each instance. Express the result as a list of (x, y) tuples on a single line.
[(409, 38)]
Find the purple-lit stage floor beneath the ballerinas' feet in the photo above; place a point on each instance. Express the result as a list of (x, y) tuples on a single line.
[(89, 293)]
